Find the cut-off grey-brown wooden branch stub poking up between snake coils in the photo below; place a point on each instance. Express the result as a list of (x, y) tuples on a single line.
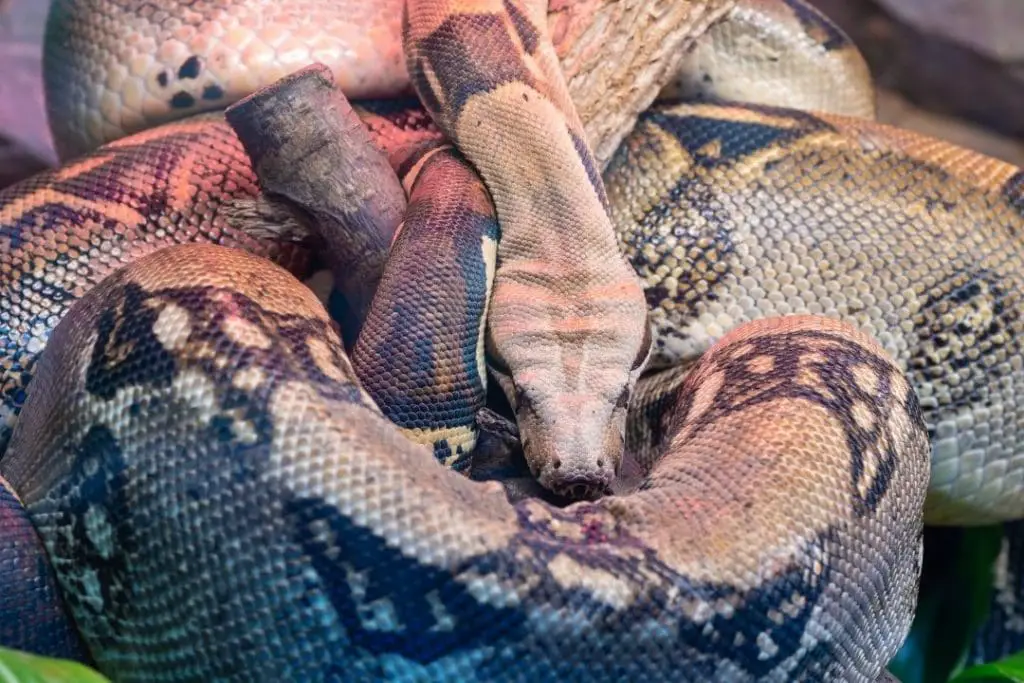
[(312, 154)]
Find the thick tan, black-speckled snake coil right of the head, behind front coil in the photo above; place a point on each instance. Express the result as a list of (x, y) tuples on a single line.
[(913, 240)]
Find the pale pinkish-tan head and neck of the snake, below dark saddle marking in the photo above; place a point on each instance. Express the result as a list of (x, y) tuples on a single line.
[(569, 326)]
